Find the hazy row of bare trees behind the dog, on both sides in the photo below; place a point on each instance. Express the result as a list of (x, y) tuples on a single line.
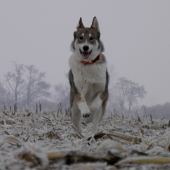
[(25, 85)]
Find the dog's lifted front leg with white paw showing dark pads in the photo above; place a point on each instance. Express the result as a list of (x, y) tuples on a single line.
[(82, 105)]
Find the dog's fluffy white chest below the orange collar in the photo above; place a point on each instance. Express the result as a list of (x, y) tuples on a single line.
[(88, 77)]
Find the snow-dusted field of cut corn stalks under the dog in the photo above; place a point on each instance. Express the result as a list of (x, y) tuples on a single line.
[(48, 140)]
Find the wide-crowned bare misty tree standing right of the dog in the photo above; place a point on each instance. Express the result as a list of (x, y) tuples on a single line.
[(128, 92)]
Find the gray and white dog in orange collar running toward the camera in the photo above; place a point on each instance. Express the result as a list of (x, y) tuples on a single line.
[(88, 76)]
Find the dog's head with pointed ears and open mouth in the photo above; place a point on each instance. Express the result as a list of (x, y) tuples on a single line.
[(86, 44)]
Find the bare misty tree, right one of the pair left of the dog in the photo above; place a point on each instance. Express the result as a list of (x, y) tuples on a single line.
[(36, 87)]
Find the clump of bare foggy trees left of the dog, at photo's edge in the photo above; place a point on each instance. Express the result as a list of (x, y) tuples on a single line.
[(24, 85)]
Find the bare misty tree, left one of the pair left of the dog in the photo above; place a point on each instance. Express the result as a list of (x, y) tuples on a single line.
[(15, 81)]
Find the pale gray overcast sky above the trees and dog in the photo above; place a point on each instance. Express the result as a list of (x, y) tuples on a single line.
[(136, 35)]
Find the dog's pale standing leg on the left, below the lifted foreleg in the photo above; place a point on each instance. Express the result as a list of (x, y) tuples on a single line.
[(76, 117)]
